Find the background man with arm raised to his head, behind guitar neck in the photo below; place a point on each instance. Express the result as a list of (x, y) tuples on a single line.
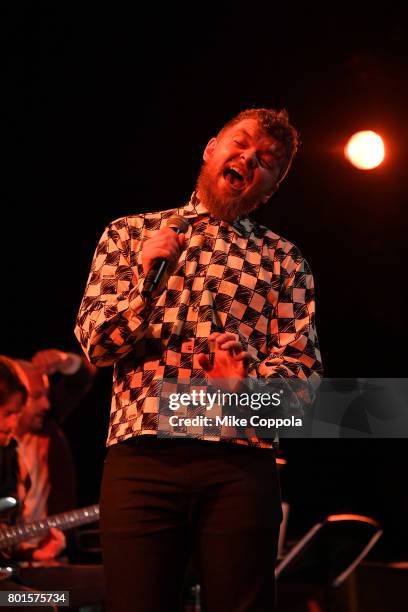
[(46, 461)]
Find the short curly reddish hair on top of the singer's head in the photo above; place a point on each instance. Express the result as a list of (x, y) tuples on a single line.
[(273, 123)]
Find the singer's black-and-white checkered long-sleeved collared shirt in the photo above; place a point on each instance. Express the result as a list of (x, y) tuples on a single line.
[(240, 278)]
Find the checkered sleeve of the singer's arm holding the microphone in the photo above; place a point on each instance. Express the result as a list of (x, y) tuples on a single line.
[(113, 315)]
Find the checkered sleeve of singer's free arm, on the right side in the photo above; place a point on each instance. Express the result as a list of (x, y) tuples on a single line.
[(294, 355)]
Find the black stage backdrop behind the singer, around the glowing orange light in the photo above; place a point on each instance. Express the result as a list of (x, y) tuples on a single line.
[(107, 113)]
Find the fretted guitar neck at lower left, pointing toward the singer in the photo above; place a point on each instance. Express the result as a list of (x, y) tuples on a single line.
[(10, 536)]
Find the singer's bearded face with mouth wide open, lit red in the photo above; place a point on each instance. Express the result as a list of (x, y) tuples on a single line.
[(240, 172)]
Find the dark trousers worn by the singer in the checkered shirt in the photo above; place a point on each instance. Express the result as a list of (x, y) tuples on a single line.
[(165, 500)]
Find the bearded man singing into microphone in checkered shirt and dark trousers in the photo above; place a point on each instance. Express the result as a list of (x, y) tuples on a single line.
[(236, 303)]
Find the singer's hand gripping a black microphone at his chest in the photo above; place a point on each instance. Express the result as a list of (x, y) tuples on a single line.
[(161, 253)]
